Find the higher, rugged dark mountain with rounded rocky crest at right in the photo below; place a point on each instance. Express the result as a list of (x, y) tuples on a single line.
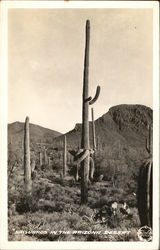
[(121, 120)]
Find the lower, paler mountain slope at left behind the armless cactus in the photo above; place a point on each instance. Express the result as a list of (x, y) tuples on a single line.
[(37, 133)]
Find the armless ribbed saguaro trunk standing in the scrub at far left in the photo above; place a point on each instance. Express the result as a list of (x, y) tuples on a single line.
[(27, 166)]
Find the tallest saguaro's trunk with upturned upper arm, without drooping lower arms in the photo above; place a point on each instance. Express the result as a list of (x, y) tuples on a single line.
[(85, 121)]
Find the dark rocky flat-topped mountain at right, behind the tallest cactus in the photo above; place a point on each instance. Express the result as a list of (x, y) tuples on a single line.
[(124, 123)]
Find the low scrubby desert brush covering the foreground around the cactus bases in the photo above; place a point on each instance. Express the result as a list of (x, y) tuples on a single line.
[(55, 205)]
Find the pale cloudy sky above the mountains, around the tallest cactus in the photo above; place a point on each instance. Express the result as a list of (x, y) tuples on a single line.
[(46, 59)]
